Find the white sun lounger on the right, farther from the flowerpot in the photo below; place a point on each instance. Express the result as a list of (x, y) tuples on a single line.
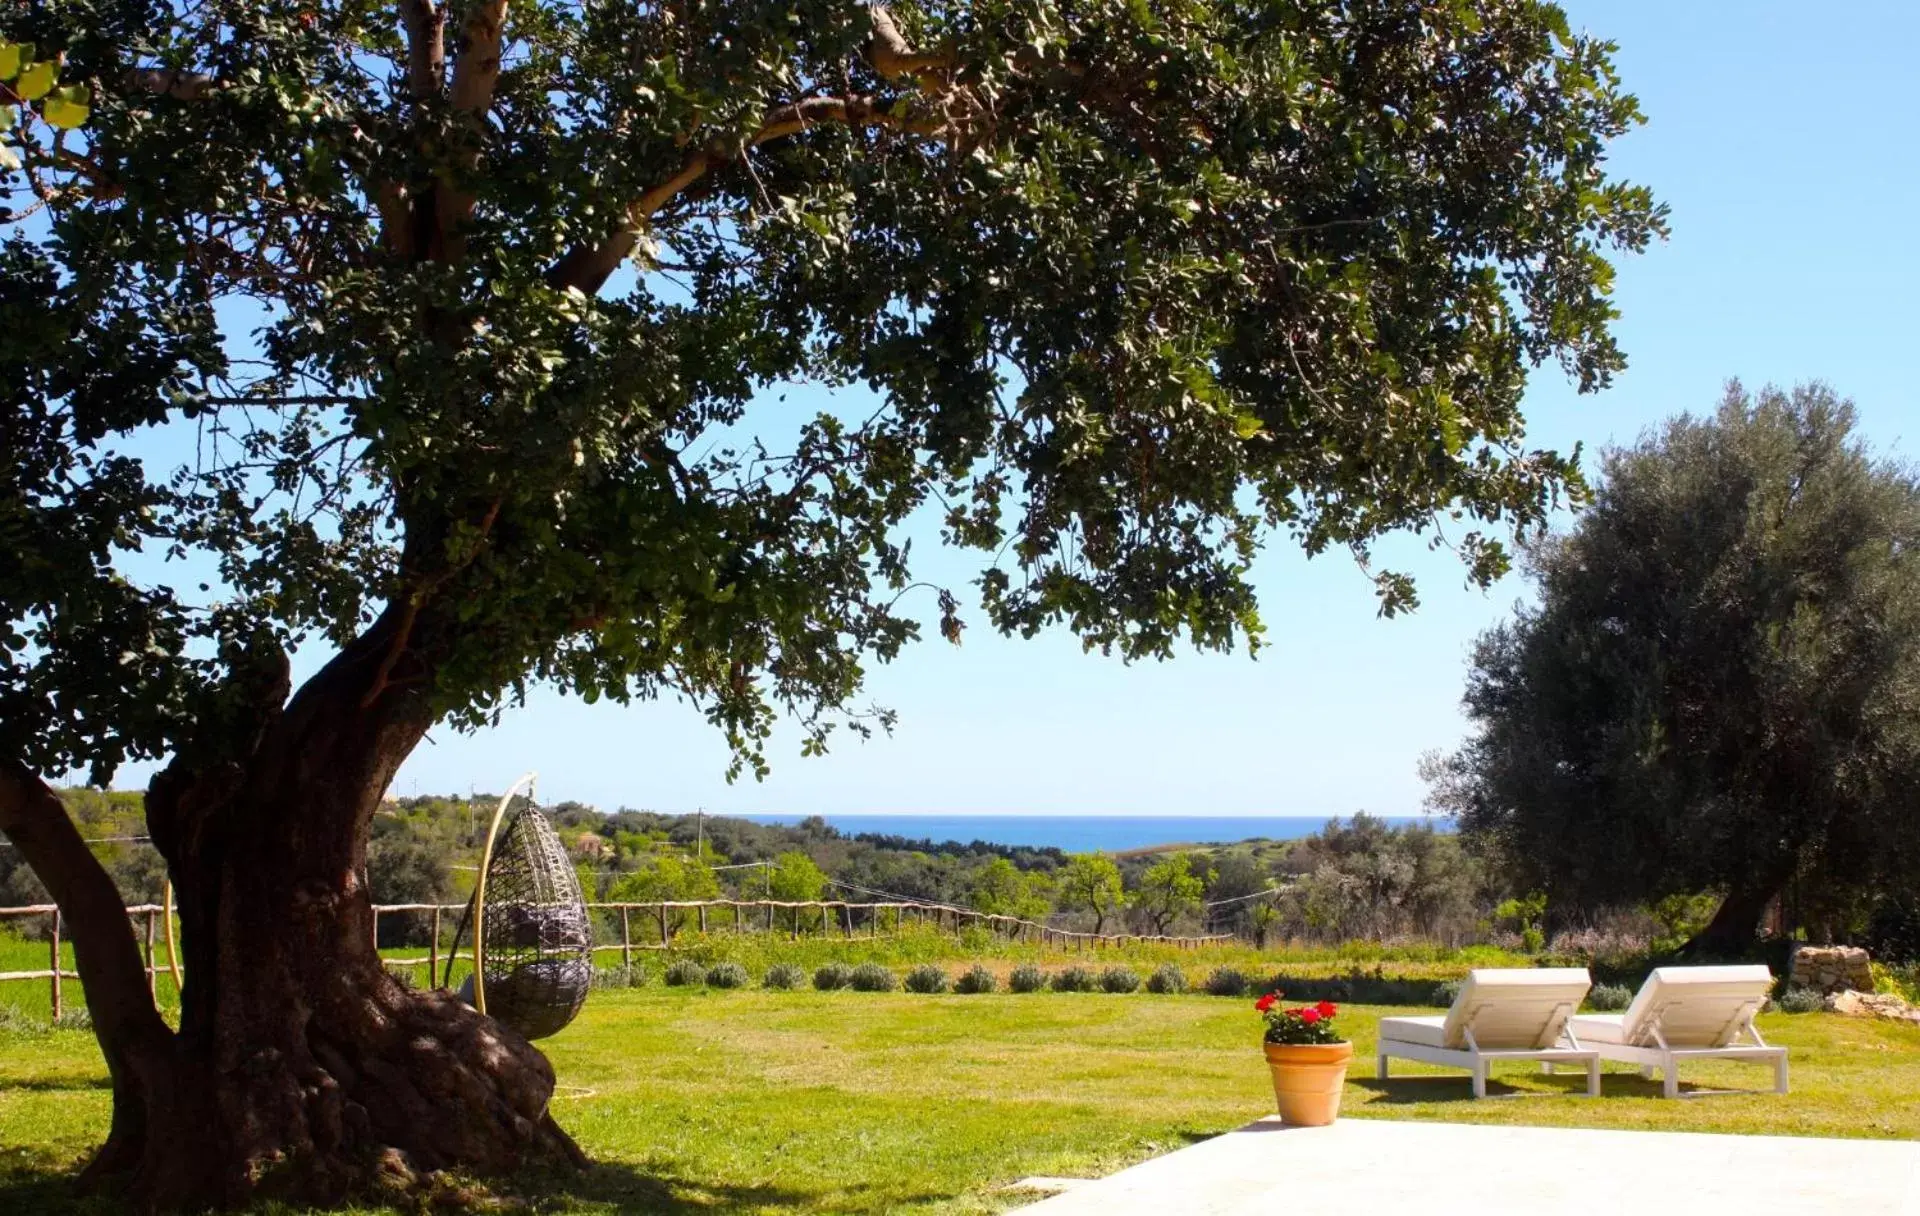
[(1689, 1013)]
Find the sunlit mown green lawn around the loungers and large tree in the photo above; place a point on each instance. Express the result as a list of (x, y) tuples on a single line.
[(752, 1102)]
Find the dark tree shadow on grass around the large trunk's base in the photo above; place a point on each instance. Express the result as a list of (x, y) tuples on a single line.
[(602, 1188)]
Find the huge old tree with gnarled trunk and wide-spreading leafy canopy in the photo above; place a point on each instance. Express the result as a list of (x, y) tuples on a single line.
[(468, 318)]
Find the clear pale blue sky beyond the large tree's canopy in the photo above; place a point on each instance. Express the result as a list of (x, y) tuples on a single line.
[(1781, 135)]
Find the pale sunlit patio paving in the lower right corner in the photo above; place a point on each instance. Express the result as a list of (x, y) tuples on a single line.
[(1491, 1171)]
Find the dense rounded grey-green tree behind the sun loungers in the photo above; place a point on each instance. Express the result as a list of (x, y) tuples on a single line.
[(1717, 689)]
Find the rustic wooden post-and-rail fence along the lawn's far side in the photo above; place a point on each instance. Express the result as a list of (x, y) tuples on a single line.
[(656, 931)]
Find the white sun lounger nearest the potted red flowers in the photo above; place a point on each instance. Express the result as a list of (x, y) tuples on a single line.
[(1500, 1015)]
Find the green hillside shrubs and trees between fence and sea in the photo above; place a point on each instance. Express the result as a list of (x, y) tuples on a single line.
[(1355, 879)]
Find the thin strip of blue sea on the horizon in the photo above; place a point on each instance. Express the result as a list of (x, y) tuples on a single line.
[(1084, 833)]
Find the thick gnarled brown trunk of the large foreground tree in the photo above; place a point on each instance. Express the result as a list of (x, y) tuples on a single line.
[(300, 1067)]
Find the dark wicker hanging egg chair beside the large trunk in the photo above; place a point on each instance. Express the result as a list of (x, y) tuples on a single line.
[(533, 936)]
